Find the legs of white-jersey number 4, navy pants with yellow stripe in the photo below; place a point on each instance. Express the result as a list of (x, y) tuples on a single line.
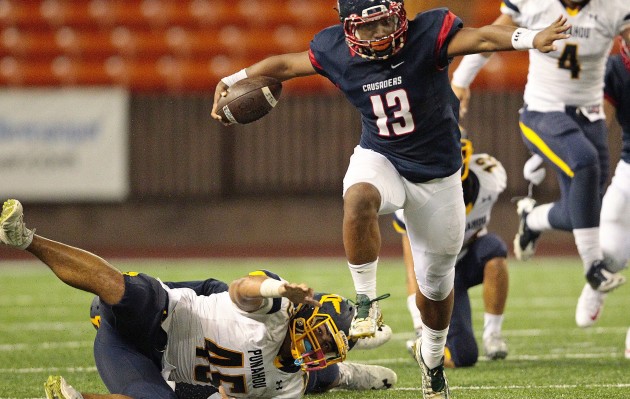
[(577, 150)]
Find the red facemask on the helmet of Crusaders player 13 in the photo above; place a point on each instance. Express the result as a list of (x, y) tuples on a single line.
[(356, 28)]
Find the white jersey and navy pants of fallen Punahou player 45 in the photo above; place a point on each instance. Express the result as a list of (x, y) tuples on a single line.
[(192, 333)]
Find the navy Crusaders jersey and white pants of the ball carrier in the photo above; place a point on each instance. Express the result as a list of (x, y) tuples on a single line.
[(409, 148)]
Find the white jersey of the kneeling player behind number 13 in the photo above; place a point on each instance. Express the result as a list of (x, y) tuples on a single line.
[(489, 180)]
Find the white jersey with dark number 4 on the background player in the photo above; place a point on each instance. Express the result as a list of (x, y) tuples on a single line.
[(573, 75)]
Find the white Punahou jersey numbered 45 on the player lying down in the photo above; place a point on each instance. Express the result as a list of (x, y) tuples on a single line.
[(211, 339)]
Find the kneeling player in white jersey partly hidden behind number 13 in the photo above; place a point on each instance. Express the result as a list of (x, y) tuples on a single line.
[(482, 260)]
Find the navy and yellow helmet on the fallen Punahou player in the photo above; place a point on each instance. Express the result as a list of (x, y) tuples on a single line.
[(319, 335)]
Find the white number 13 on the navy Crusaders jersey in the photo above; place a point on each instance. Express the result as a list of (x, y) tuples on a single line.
[(397, 103)]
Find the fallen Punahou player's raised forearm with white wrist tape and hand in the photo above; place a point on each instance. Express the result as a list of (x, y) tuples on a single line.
[(250, 292)]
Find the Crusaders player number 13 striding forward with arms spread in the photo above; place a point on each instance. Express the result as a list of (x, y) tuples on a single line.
[(395, 72)]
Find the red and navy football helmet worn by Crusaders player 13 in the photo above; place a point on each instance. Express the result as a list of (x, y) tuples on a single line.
[(359, 16)]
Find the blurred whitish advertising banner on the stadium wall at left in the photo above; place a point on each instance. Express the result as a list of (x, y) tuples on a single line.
[(64, 145)]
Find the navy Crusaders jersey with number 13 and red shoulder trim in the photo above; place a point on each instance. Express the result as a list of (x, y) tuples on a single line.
[(409, 112)]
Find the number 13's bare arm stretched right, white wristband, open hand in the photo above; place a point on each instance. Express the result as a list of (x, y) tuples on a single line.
[(499, 38)]
